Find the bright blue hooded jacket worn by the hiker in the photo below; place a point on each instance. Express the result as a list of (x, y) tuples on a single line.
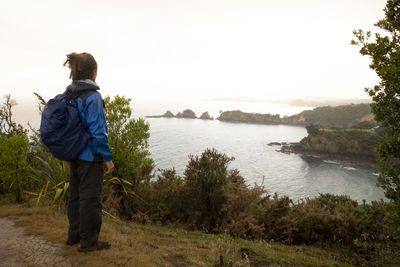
[(91, 111)]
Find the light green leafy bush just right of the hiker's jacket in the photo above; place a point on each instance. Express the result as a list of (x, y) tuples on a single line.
[(128, 139)]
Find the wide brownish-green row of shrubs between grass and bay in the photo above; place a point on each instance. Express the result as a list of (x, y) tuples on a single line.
[(213, 198)]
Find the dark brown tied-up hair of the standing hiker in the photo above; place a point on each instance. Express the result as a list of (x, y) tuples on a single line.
[(82, 65)]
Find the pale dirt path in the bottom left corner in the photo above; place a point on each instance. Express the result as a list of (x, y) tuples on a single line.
[(18, 249)]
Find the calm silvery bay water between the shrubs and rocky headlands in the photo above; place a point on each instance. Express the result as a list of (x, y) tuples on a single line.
[(172, 140)]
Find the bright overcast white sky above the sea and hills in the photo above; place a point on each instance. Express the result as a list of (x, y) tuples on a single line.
[(187, 48)]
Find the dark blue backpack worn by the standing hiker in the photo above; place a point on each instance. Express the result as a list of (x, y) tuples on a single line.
[(61, 129)]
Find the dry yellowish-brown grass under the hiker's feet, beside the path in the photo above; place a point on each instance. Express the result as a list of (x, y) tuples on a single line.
[(152, 245)]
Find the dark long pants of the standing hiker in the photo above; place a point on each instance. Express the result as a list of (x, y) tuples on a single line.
[(84, 203)]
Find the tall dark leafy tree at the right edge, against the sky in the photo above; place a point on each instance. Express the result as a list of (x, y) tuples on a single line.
[(385, 55)]
